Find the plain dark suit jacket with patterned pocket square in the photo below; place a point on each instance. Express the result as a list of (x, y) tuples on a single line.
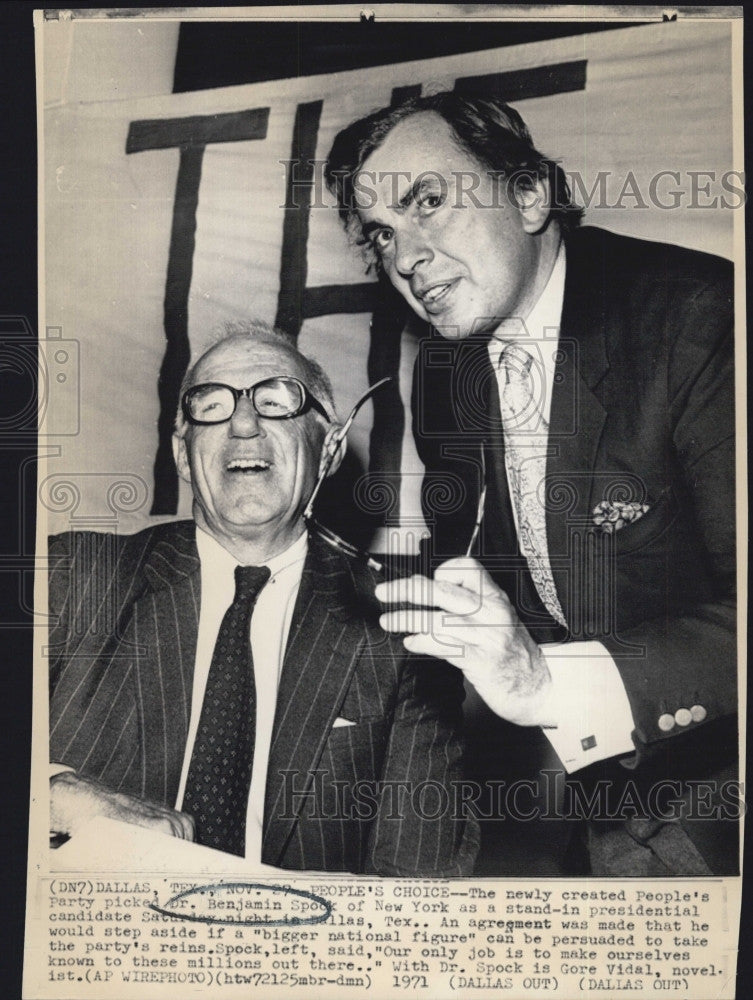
[(642, 409)]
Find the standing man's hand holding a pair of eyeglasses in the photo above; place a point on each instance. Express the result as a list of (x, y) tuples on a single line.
[(461, 616)]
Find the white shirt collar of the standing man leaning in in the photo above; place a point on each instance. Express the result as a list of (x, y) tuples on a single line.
[(539, 332)]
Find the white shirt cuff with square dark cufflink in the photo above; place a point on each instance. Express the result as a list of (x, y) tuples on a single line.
[(589, 703)]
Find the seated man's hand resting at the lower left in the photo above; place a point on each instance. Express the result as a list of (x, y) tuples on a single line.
[(74, 800)]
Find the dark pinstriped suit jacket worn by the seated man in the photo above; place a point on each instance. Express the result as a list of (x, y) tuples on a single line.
[(122, 646)]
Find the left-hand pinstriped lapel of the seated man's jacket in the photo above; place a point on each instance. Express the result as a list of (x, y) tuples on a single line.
[(164, 629)]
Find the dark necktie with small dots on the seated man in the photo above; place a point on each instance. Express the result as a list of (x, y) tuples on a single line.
[(219, 776)]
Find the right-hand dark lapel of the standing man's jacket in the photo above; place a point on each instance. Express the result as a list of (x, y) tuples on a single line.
[(577, 415)]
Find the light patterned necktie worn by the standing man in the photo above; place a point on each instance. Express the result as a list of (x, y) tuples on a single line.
[(526, 439)]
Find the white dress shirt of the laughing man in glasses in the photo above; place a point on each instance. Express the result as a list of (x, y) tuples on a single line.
[(270, 625)]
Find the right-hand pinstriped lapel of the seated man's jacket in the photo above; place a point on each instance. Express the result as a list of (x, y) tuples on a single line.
[(323, 648)]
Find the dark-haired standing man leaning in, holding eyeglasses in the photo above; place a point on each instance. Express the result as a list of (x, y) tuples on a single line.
[(595, 372)]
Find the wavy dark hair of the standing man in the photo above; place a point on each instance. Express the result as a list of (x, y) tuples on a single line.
[(484, 127)]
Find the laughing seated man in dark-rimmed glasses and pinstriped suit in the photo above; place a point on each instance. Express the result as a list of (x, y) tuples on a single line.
[(228, 675)]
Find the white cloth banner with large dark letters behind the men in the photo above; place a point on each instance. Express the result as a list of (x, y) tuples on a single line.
[(640, 119)]
